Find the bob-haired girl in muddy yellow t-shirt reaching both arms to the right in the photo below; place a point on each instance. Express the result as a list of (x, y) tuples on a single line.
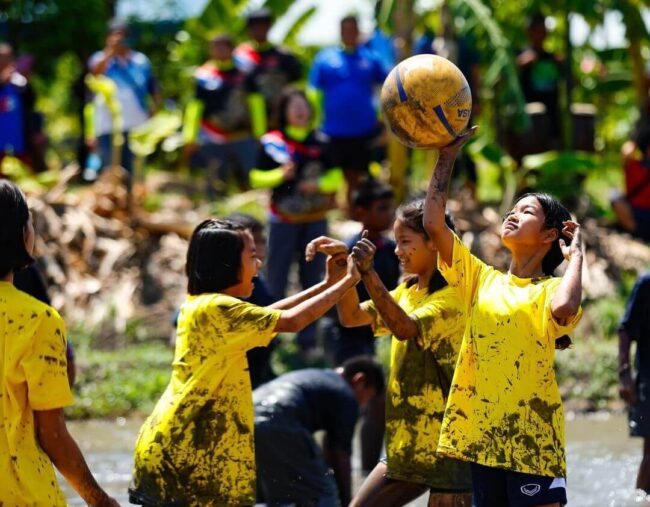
[(196, 448)]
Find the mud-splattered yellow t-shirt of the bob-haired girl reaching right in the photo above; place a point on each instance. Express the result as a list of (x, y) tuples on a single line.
[(197, 445)]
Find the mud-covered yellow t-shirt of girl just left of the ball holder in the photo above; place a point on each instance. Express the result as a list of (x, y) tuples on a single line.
[(418, 385)]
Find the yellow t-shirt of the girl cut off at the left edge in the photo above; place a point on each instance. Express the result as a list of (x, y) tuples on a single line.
[(34, 375)]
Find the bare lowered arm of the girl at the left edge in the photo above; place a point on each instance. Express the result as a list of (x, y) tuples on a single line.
[(61, 448)]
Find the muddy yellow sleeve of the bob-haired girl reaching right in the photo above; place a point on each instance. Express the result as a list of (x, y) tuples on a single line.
[(250, 325)]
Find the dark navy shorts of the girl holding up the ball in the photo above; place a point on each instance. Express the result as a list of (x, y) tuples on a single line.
[(495, 487)]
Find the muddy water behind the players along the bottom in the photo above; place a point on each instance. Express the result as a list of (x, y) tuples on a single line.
[(602, 460)]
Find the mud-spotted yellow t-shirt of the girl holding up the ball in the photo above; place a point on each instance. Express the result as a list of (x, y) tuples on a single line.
[(504, 407)]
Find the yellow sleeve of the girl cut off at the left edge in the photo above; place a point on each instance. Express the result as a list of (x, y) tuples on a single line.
[(45, 366)]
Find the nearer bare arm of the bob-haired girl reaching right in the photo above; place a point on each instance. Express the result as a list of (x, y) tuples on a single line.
[(303, 314)]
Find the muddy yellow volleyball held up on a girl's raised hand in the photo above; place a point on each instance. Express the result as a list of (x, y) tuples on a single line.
[(426, 101)]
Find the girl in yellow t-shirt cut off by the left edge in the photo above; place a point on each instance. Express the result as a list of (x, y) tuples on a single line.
[(33, 380)]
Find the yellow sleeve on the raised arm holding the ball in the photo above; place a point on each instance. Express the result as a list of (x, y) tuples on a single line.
[(464, 272)]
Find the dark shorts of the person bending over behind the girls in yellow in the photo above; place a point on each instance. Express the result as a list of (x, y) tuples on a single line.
[(291, 467)]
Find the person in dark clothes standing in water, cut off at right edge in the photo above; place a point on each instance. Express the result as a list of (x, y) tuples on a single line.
[(635, 390)]
